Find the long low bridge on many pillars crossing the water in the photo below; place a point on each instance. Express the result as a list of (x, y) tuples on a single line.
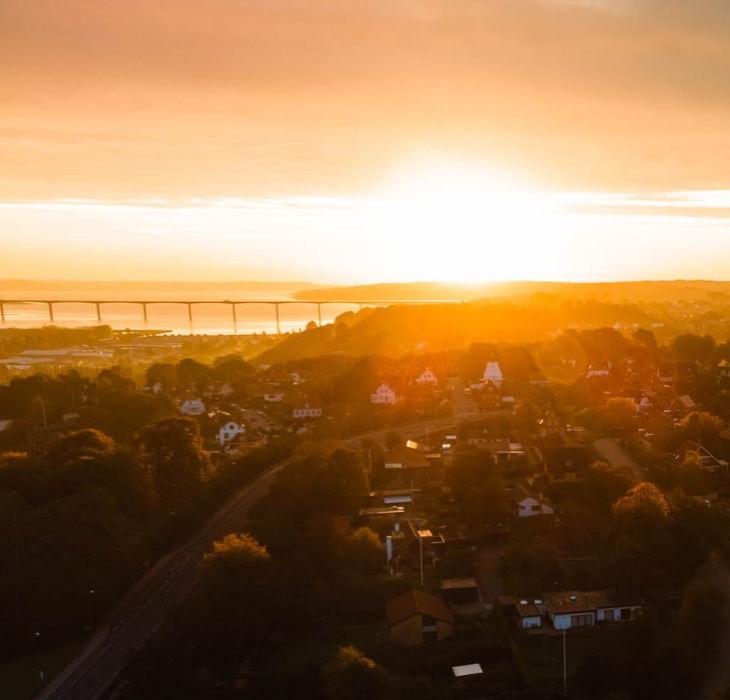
[(276, 303)]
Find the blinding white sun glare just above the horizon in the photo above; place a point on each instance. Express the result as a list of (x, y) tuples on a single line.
[(465, 222)]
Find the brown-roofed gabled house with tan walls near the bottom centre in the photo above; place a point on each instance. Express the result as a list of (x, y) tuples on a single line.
[(417, 617)]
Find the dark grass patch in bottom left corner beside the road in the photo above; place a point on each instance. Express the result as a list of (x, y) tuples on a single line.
[(20, 679)]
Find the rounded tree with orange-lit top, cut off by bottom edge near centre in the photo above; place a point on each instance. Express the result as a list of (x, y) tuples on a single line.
[(351, 675)]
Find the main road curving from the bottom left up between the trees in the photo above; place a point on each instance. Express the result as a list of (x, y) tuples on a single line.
[(144, 609)]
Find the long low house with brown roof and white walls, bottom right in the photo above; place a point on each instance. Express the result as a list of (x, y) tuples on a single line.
[(571, 609)]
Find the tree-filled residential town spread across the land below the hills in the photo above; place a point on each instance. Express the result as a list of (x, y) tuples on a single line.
[(486, 522)]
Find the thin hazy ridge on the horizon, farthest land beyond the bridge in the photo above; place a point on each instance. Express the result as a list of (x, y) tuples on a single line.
[(647, 291)]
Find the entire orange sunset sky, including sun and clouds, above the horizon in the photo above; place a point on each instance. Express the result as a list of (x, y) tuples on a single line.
[(365, 140)]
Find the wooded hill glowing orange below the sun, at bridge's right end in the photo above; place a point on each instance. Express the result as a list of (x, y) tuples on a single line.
[(665, 308)]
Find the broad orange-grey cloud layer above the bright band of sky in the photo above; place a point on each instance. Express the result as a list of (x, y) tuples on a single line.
[(219, 97)]
